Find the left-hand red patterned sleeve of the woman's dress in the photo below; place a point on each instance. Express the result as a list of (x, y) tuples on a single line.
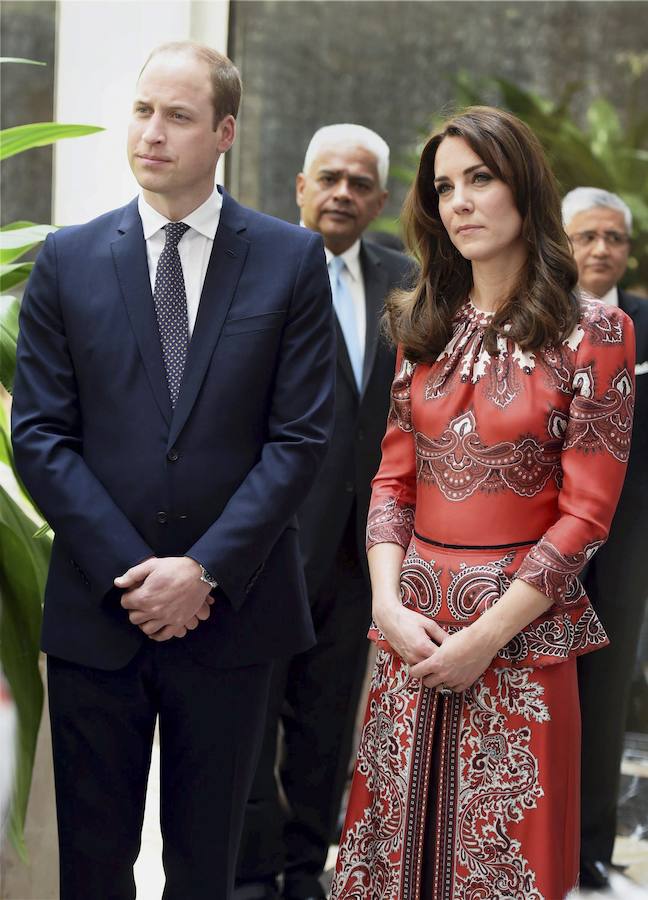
[(393, 498)]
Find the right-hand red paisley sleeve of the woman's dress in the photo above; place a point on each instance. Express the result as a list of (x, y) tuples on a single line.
[(597, 432)]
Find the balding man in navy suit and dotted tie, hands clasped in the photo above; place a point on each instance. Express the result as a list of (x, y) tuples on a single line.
[(173, 403)]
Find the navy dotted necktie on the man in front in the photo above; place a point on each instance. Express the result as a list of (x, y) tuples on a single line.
[(170, 301)]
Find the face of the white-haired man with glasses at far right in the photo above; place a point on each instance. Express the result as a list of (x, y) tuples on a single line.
[(601, 245)]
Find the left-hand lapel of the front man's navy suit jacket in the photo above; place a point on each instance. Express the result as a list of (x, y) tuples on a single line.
[(129, 256)]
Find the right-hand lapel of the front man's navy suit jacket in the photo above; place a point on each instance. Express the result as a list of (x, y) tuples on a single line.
[(223, 272)]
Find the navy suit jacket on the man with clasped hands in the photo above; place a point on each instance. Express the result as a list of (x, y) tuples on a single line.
[(121, 476)]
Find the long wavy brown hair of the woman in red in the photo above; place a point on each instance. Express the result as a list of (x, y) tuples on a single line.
[(542, 308)]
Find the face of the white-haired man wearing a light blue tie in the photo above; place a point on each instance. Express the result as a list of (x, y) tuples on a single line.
[(340, 195)]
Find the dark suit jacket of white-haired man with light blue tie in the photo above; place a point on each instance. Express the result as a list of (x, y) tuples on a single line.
[(360, 418)]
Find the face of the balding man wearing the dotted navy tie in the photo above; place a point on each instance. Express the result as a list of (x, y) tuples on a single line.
[(172, 145)]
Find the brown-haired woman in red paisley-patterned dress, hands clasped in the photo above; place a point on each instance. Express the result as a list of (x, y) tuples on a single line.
[(502, 464)]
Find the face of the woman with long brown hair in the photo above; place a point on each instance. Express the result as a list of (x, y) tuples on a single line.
[(477, 208)]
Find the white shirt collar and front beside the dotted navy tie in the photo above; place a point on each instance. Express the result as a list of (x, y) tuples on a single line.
[(194, 248)]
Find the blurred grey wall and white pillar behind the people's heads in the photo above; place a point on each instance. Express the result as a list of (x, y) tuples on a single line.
[(387, 64)]
